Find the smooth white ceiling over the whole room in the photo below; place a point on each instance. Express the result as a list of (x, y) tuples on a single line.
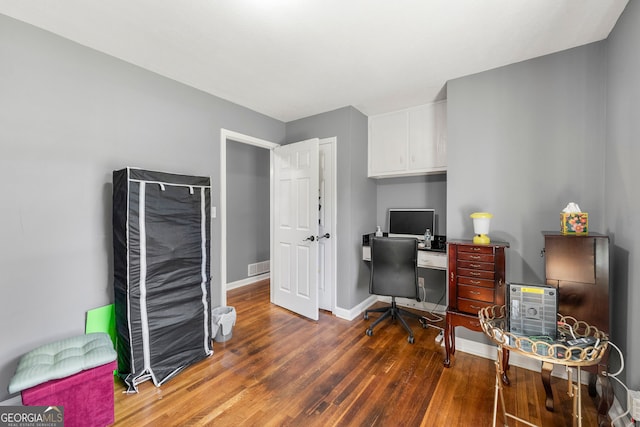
[(290, 59)]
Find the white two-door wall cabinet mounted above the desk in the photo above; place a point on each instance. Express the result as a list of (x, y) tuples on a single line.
[(409, 142)]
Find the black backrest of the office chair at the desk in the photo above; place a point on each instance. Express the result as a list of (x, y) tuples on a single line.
[(394, 267)]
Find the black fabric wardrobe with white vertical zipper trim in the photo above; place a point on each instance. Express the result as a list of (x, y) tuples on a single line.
[(161, 239)]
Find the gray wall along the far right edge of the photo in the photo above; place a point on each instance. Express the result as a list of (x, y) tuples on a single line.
[(622, 175)]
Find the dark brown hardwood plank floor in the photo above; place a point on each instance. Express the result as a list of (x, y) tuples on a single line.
[(280, 369)]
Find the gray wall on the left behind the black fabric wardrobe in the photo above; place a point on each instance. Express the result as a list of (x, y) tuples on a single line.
[(69, 116)]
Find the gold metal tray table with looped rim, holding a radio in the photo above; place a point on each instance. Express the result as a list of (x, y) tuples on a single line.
[(579, 344)]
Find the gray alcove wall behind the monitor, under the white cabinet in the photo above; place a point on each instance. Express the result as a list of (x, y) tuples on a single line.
[(417, 192)]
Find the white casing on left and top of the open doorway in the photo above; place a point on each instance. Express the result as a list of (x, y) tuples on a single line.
[(226, 136)]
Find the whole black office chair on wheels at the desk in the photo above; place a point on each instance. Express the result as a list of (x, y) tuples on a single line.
[(394, 273)]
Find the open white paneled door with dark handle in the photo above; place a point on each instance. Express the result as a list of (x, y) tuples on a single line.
[(294, 278)]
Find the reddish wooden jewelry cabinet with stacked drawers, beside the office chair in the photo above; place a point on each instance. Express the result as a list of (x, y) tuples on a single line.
[(476, 277)]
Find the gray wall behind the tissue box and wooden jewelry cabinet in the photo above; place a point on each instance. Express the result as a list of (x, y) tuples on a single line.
[(523, 141)]
